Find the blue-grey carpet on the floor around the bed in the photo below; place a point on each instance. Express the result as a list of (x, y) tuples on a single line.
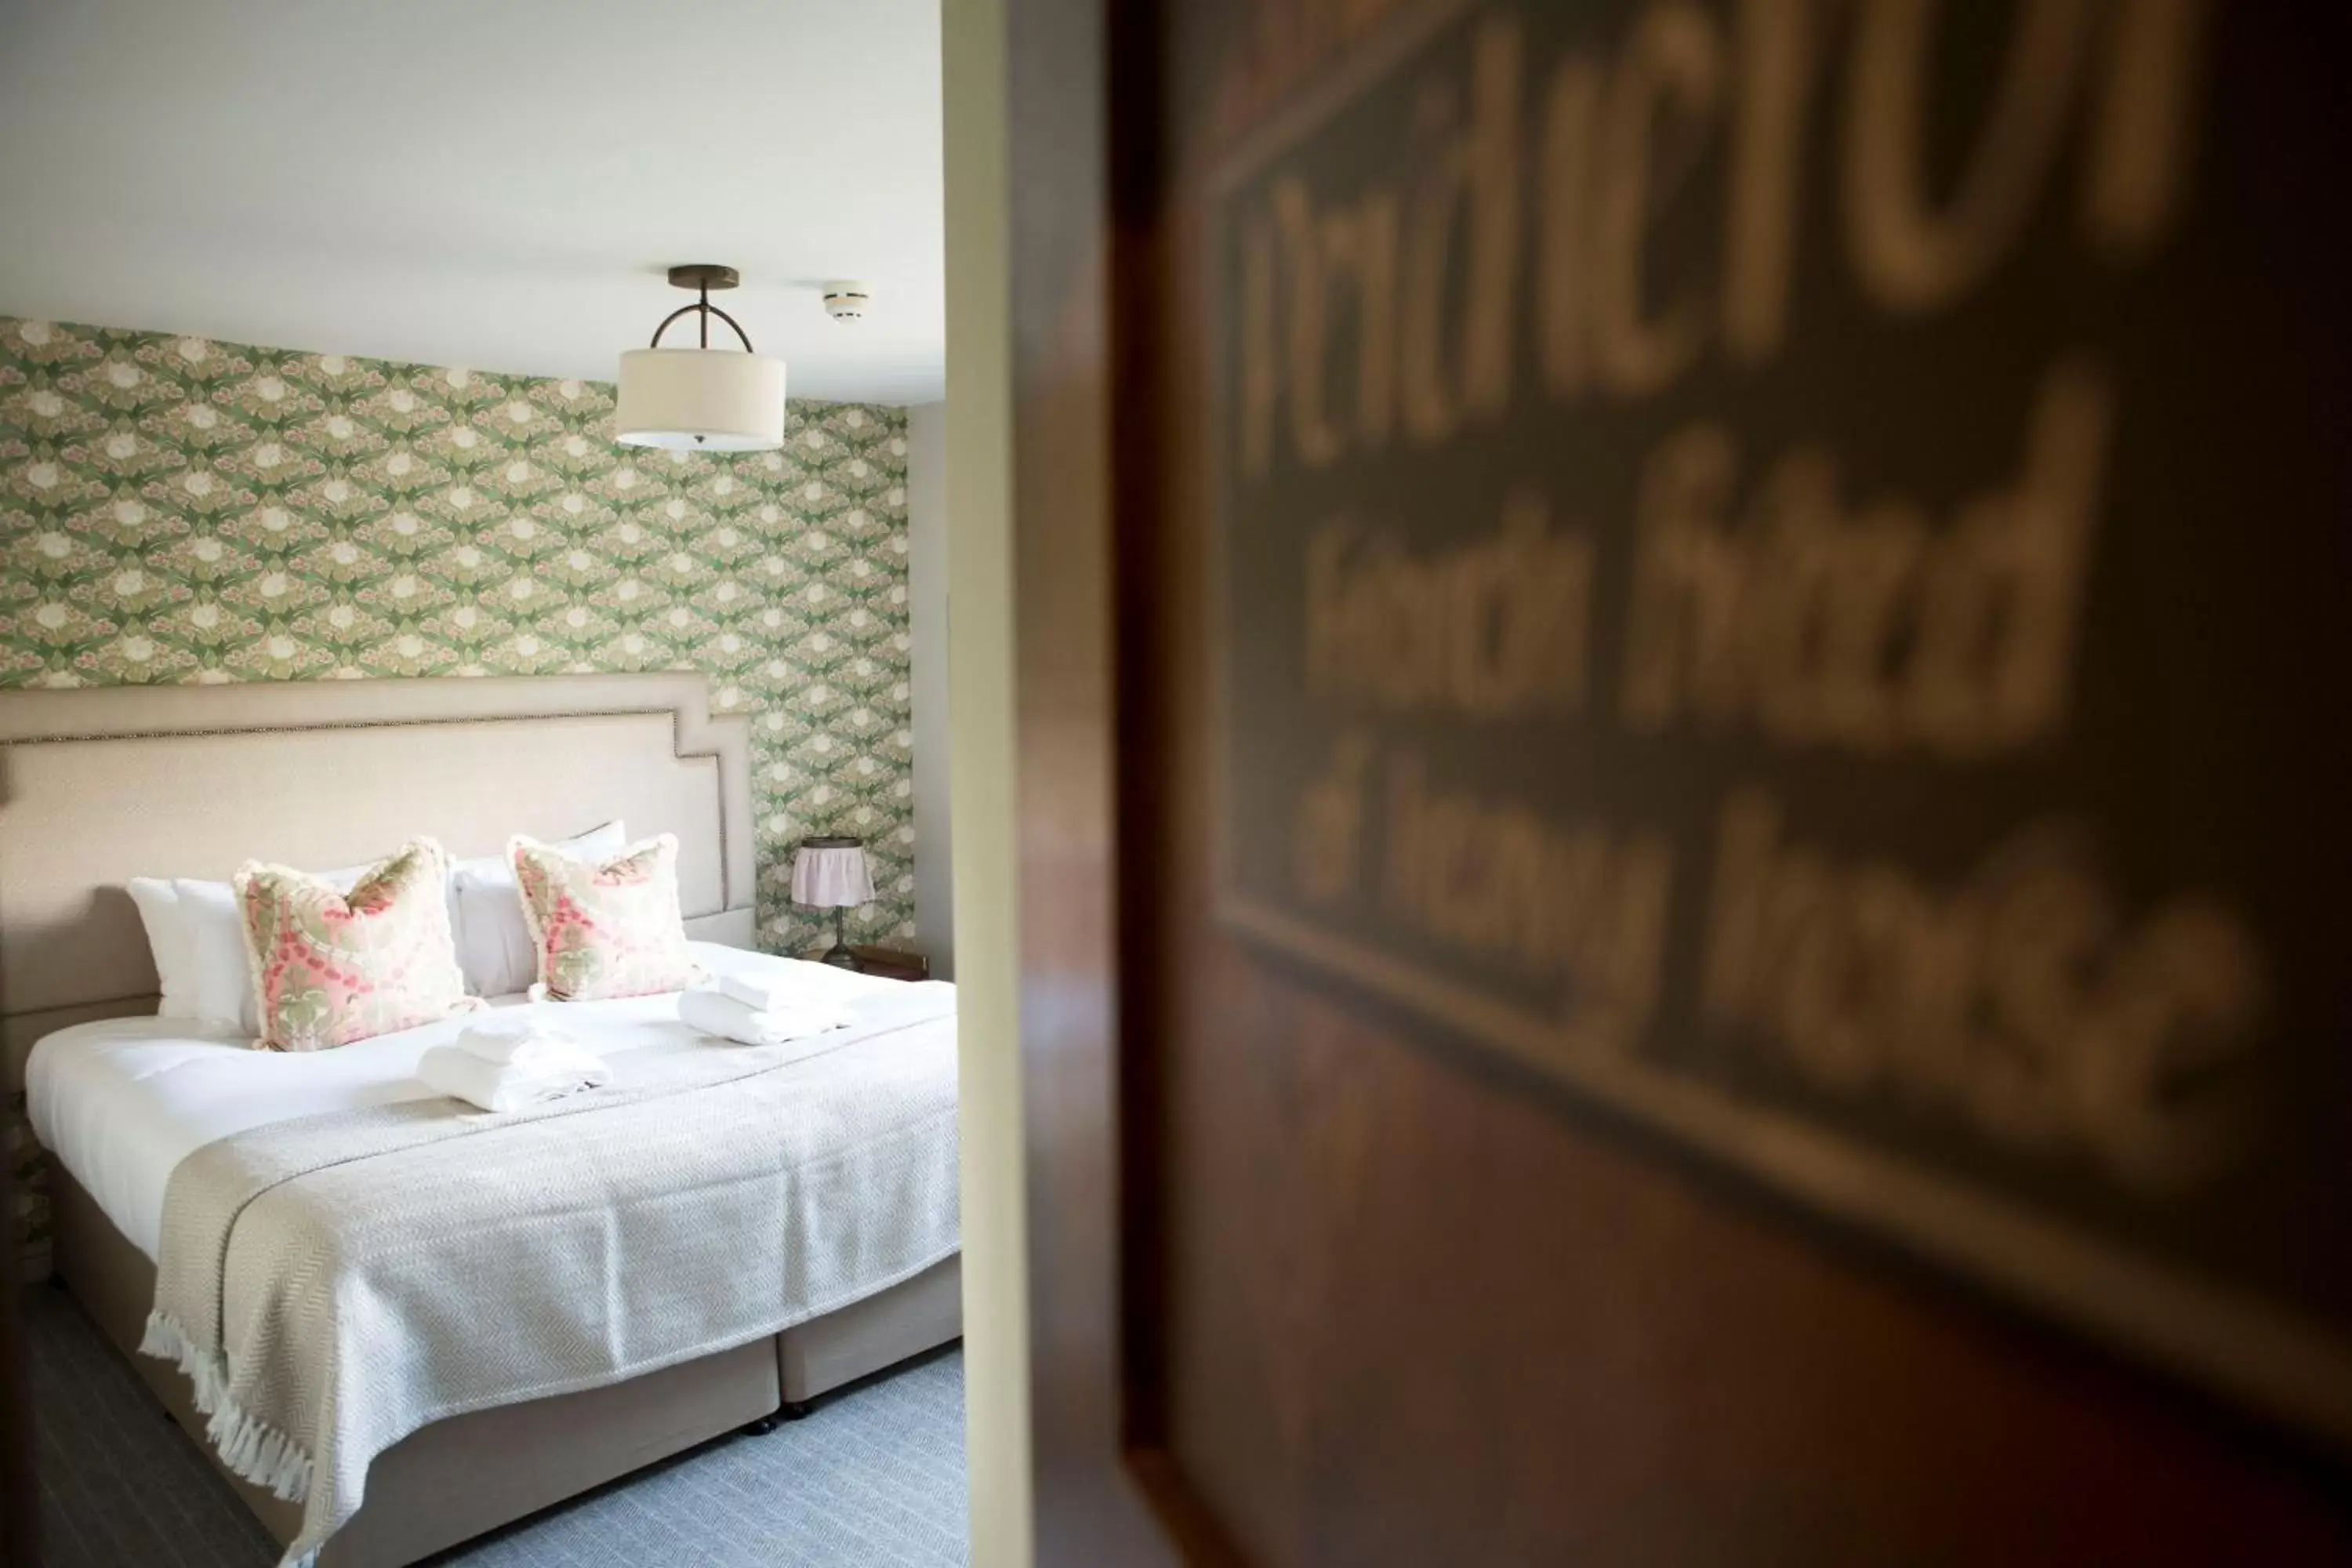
[(874, 1477)]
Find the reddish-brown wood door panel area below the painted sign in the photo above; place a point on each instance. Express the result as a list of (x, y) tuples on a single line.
[(1426, 1318)]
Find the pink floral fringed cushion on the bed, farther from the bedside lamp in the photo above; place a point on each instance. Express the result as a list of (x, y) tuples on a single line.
[(340, 967)]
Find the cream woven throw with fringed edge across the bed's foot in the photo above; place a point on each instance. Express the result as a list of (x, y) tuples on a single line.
[(338, 1282)]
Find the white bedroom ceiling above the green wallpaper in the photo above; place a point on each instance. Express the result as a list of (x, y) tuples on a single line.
[(495, 185)]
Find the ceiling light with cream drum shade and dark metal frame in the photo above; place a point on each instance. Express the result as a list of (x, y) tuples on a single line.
[(700, 398)]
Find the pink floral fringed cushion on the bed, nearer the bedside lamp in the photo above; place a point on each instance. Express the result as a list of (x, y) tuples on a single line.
[(606, 927)]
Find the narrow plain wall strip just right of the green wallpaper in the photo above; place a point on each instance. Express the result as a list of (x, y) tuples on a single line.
[(928, 587)]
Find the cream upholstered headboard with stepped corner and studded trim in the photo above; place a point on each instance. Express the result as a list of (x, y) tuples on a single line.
[(189, 782)]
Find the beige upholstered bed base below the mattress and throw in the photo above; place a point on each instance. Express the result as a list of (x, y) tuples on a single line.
[(476, 1473)]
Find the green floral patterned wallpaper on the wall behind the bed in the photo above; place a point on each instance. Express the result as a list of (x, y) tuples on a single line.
[(189, 511)]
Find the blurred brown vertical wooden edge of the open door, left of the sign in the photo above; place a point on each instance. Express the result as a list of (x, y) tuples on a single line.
[(1085, 297)]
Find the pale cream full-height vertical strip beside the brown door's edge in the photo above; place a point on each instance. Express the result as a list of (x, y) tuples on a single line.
[(982, 746)]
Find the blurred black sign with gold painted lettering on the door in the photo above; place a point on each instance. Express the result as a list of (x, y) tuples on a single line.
[(1666, 507)]
